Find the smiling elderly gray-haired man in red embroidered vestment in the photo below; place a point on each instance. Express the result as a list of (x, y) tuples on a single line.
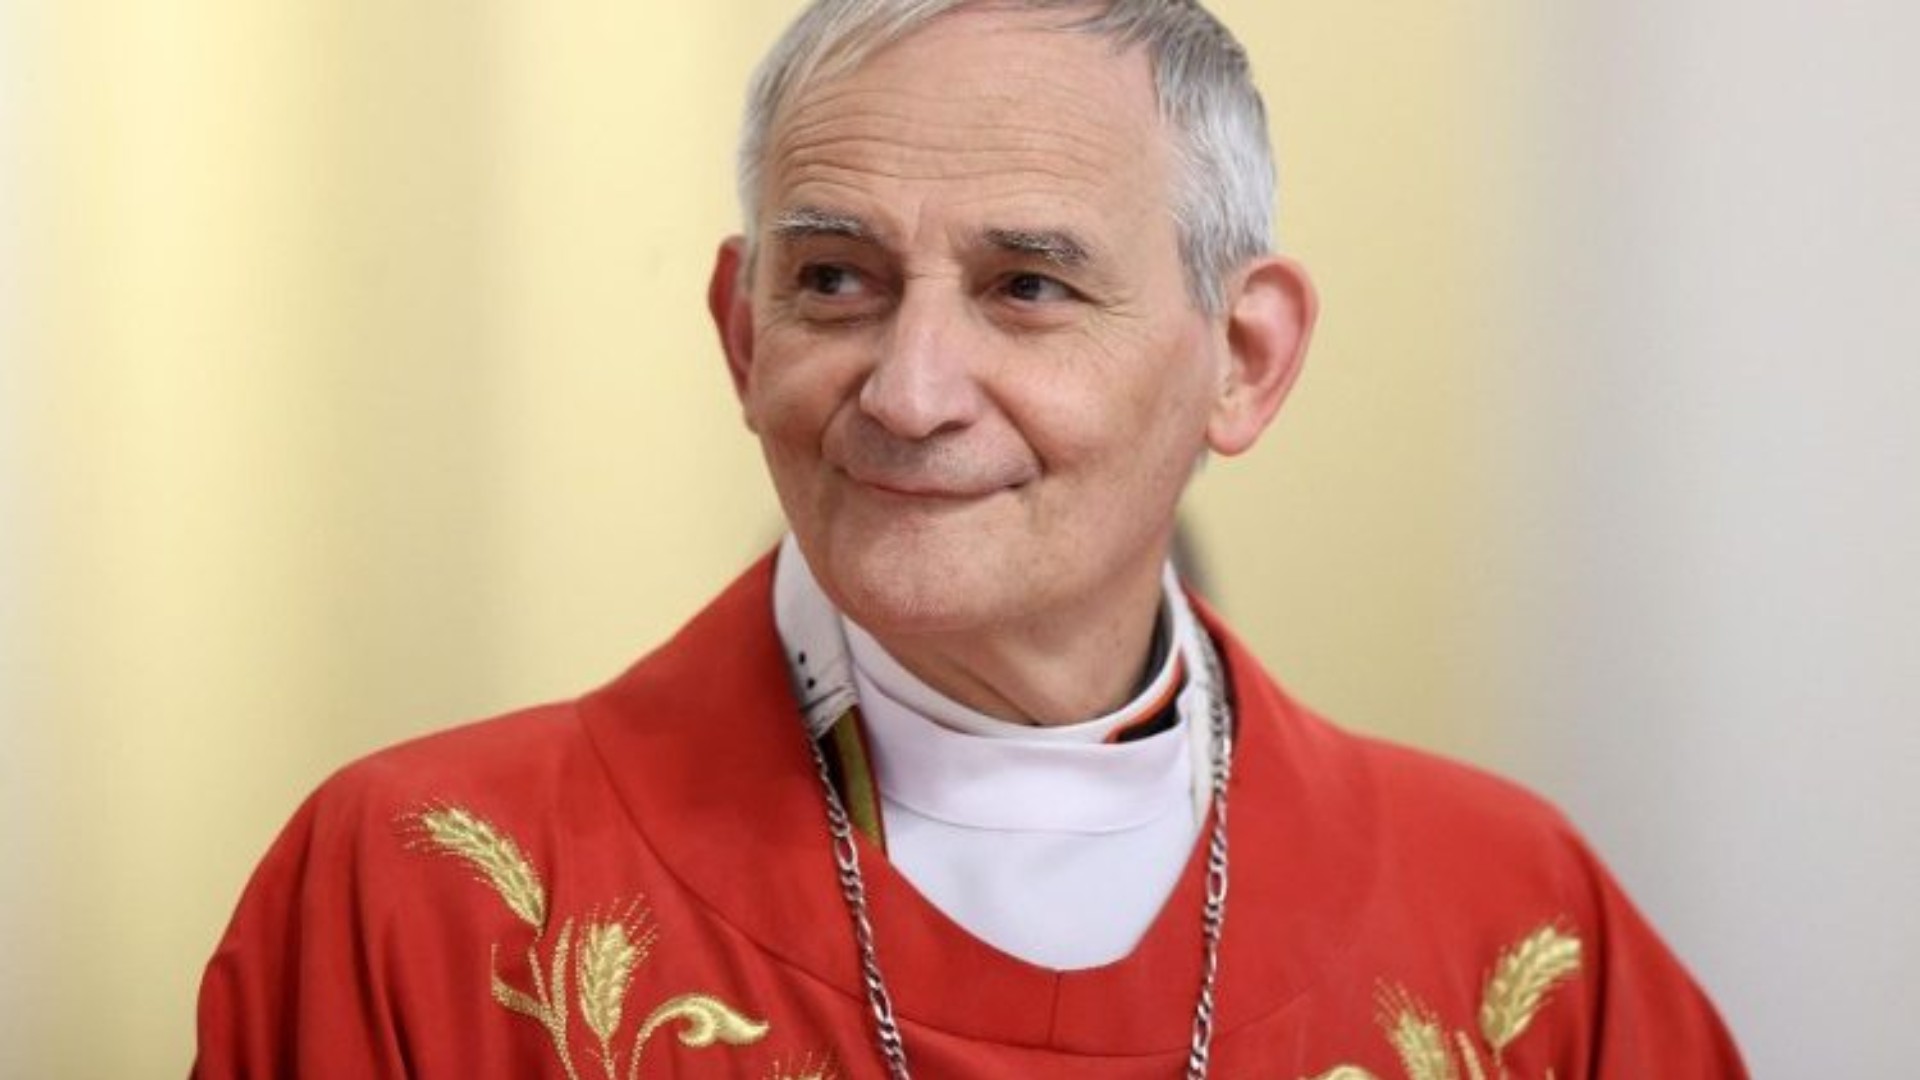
[(944, 785)]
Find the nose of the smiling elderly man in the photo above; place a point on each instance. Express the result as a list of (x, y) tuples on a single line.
[(923, 381)]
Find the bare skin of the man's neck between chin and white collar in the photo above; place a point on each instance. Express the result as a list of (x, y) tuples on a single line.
[(1055, 672)]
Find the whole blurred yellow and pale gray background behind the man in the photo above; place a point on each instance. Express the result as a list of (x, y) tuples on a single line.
[(354, 381)]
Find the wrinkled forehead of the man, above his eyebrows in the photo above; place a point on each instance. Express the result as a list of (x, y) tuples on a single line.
[(986, 112)]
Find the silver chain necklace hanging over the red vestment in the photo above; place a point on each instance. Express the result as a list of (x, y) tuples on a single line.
[(1212, 918)]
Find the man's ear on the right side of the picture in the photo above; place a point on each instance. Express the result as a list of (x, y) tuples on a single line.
[(1270, 320)]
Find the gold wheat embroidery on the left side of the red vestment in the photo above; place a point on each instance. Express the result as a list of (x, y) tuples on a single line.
[(602, 960)]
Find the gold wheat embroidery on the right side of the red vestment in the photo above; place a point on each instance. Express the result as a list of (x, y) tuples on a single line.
[(1520, 987)]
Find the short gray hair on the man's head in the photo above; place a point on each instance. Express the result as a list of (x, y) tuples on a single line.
[(1224, 187)]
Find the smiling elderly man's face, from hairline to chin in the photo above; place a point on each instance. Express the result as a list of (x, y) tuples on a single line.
[(969, 345)]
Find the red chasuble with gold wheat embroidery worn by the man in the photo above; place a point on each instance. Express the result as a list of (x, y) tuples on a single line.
[(640, 885)]
